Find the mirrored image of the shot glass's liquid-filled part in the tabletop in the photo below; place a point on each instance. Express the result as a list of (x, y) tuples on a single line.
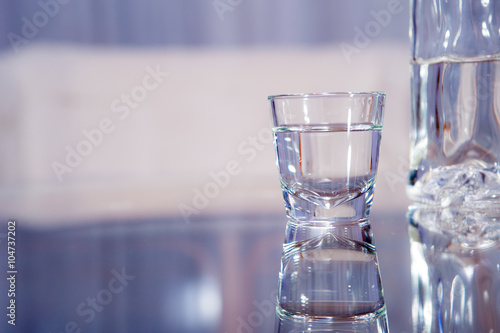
[(330, 270)]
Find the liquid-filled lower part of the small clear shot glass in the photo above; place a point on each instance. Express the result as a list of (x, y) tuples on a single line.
[(322, 167)]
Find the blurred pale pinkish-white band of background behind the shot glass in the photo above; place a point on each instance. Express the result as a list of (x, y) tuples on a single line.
[(207, 112)]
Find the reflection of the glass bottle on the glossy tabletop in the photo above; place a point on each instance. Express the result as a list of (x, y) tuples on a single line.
[(456, 284)]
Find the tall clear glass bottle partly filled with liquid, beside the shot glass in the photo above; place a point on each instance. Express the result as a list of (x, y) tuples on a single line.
[(455, 133)]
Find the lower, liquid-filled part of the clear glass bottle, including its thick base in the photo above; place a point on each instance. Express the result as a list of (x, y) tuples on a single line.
[(455, 132)]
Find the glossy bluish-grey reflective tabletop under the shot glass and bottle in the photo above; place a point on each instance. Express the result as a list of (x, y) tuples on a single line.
[(215, 274)]
